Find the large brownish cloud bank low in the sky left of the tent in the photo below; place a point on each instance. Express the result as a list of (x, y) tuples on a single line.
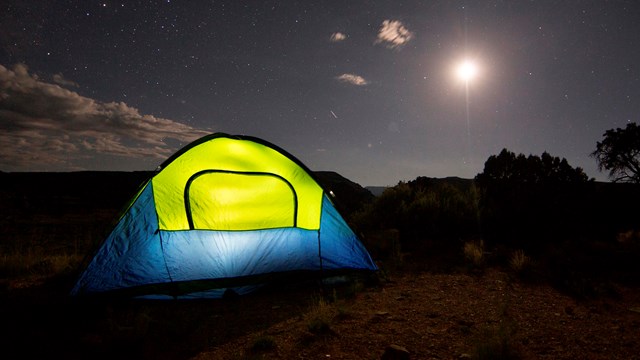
[(44, 126)]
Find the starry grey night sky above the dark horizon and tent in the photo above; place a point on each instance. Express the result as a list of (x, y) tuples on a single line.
[(364, 88)]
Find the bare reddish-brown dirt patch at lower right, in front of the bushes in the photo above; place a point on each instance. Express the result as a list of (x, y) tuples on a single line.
[(452, 316)]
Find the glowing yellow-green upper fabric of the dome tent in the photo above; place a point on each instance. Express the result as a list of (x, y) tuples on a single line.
[(238, 171)]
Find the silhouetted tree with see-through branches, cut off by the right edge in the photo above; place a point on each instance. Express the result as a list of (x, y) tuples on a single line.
[(619, 153)]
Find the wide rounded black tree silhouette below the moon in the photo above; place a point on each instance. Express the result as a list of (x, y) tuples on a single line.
[(527, 201)]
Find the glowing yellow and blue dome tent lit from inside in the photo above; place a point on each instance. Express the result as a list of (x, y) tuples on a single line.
[(225, 212)]
